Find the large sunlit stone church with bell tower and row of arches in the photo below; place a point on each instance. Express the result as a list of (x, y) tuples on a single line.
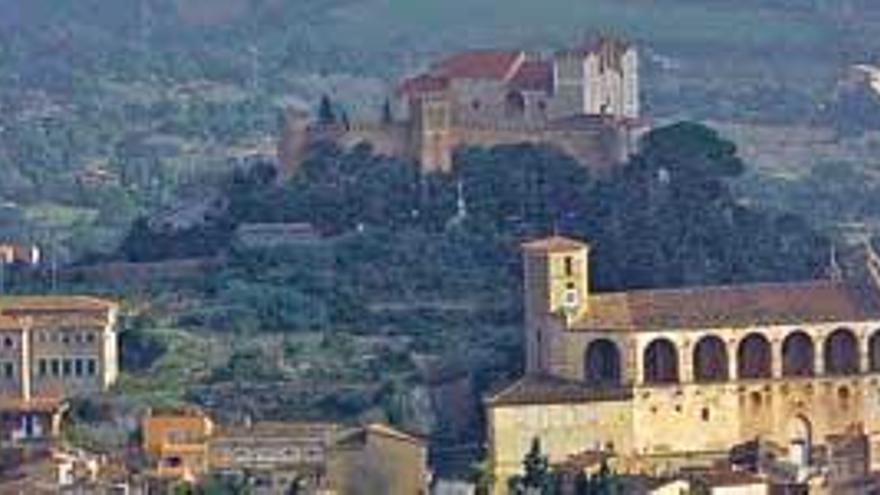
[(665, 378)]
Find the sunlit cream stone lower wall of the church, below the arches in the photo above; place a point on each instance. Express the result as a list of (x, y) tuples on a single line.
[(667, 426)]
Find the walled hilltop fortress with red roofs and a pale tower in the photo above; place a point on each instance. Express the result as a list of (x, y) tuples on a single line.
[(584, 100)]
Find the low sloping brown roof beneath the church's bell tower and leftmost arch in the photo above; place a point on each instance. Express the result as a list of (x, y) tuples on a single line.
[(550, 390)]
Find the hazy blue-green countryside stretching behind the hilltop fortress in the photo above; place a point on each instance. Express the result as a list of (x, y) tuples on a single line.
[(103, 131)]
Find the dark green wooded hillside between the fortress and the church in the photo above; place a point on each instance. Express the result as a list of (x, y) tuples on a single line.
[(401, 278)]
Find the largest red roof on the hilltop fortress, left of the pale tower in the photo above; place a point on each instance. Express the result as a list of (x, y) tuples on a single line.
[(480, 64)]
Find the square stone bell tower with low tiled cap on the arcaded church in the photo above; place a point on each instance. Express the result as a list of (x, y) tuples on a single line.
[(556, 284)]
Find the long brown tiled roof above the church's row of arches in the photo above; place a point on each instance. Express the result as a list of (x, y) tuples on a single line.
[(752, 304)]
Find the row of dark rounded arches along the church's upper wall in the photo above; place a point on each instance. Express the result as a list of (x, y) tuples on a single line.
[(752, 357)]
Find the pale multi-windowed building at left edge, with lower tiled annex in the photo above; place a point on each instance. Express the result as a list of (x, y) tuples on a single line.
[(52, 348)]
